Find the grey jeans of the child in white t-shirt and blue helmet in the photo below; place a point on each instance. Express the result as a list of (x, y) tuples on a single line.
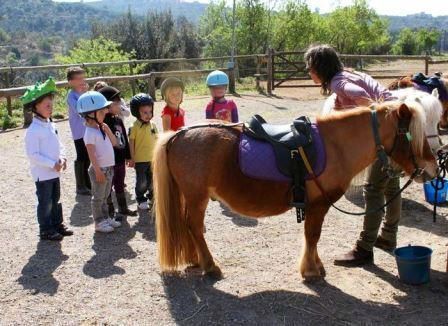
[(100, 192)]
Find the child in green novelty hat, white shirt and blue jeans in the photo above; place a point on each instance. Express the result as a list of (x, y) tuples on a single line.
[(47, 158)]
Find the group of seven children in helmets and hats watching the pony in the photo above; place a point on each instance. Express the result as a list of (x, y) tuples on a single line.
[(103, 147)]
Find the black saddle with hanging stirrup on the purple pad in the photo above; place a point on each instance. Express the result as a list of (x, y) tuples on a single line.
[(286, 141)]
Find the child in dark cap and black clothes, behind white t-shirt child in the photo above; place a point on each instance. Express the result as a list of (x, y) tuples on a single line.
[(121, 151)]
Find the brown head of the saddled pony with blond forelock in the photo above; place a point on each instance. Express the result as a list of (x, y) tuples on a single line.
[(410, 149)]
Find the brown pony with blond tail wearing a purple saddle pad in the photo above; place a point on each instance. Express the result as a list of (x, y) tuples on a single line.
[(194, 165)]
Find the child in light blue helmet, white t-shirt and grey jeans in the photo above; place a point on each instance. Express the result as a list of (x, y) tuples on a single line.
[(99, 141)]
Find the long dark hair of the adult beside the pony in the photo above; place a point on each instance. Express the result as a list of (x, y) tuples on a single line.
[(325, 62)]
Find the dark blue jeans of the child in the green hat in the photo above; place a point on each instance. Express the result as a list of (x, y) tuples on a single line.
[(49, 210)]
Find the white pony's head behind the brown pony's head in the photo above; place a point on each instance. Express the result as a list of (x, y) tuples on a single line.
[(431, 107)]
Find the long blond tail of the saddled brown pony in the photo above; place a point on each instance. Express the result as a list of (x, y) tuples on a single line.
[(169, 208)]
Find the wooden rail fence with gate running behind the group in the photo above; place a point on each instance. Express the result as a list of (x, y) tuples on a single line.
[(277, 68)]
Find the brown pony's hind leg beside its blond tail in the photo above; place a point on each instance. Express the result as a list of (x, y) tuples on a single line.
[(195, 220)]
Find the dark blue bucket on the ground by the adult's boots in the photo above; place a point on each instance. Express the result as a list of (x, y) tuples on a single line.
[(414, 264)]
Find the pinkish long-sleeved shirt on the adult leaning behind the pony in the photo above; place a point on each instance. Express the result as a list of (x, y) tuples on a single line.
[(349, 86)]
